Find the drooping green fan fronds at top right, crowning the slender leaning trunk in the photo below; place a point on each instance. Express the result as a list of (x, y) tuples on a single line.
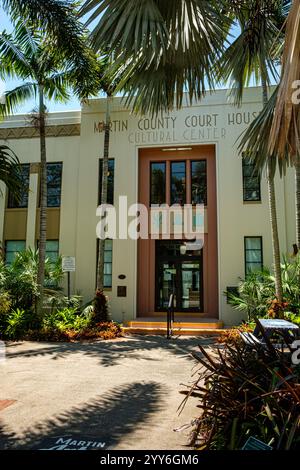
[(250, 54)]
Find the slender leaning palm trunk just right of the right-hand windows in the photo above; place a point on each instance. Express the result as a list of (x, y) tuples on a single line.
[(273, 216)]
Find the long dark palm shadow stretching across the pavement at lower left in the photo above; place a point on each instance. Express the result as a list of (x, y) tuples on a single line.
[(106, 418)]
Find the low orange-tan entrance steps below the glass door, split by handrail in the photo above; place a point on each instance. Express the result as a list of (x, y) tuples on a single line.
[(181, 326)]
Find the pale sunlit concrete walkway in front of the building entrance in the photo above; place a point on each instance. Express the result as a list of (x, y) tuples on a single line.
[(123, 393)]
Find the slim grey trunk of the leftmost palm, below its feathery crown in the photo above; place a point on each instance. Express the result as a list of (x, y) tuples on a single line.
[(43, 202)]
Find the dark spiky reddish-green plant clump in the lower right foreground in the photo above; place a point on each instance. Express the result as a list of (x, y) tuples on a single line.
[(246, 392)]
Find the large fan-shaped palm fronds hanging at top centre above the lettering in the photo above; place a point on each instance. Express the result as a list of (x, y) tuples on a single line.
[(161, 48)]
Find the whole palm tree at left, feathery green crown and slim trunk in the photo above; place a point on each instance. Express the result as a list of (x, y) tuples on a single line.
[(46, 74)]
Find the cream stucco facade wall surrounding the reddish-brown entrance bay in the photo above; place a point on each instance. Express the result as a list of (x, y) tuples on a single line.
[(80, 156)]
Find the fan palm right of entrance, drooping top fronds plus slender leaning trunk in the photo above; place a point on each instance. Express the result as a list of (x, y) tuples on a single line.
[(250, 55)]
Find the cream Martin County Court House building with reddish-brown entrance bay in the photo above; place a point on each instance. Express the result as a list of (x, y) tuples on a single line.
[(189, 156)]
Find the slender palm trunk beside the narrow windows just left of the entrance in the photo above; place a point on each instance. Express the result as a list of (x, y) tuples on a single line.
[(100, 267)]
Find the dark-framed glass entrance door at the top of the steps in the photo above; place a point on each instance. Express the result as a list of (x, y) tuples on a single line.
[(178, 274)]
